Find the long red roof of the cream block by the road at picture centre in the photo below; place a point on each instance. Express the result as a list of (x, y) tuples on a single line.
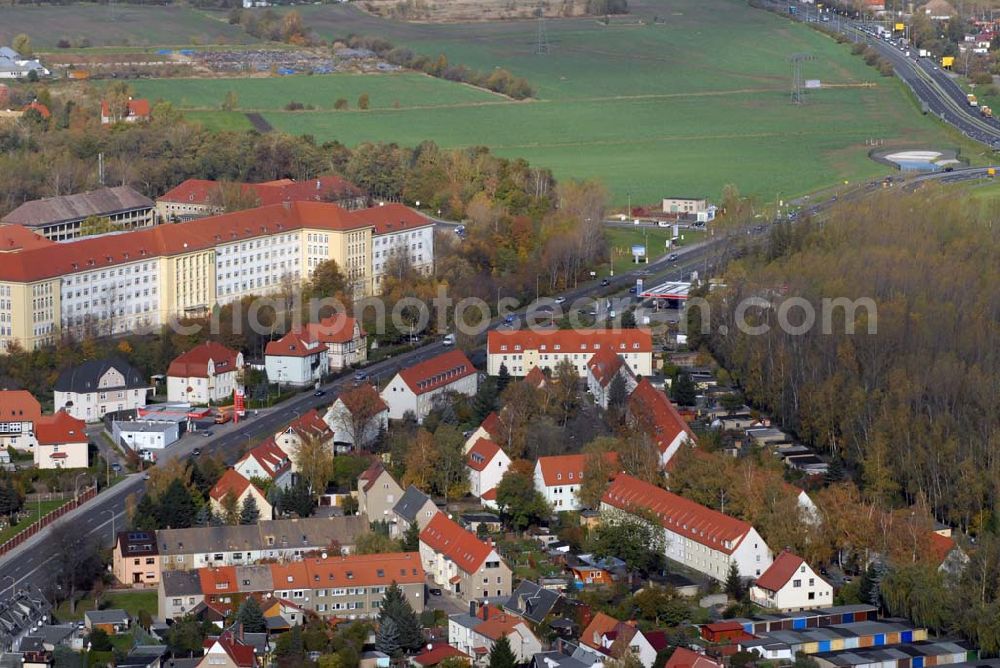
[(569, 340)]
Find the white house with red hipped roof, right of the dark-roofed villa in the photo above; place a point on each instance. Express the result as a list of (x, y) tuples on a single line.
[(208, 373)]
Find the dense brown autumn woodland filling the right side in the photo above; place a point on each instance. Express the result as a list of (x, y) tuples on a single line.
[(907, 407)]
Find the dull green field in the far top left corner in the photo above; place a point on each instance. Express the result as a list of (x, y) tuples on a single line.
[(125, 25)]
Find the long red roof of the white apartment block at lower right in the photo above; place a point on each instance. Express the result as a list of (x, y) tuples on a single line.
[(681, 516)]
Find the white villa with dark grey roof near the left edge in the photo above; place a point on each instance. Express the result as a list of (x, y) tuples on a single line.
[(97, 387)]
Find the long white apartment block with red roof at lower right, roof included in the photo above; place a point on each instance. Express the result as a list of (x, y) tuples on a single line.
[(698, 537)]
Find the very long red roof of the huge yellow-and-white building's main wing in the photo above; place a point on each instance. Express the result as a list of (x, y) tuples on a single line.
[(167, 240)]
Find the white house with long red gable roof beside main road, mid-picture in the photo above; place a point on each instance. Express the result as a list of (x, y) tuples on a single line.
[(414, 390)]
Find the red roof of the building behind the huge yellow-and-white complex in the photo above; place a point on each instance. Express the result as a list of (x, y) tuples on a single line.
[(320, 189)]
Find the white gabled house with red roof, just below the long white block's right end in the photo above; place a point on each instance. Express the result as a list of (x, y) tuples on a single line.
[(789, 585)]
